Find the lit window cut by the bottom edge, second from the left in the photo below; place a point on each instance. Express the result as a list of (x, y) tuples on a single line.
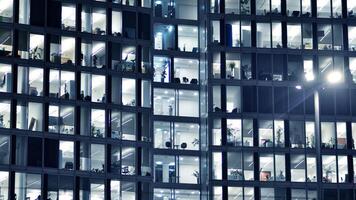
[(28, 186)]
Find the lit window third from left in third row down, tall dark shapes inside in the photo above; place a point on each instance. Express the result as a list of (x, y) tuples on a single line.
[(61, 84)]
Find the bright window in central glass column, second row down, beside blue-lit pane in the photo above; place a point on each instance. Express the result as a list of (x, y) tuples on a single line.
[(188, 38)]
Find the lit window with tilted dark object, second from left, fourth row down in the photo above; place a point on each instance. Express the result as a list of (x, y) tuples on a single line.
[(29, 116)]
